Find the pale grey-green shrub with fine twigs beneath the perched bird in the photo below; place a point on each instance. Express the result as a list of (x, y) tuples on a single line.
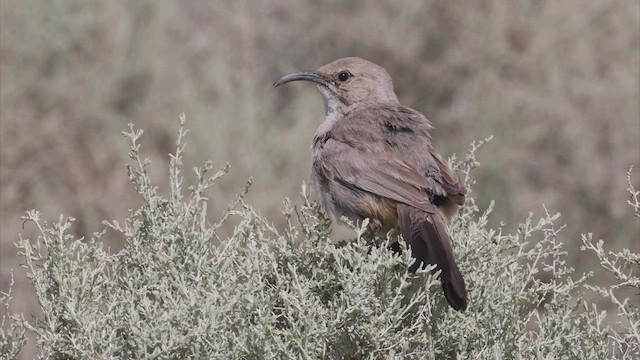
[(179, 290)]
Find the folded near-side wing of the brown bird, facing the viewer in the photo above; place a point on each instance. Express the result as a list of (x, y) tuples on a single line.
[(383, 174)]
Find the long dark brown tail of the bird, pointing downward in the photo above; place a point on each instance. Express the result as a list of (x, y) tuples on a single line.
[(427, 236)]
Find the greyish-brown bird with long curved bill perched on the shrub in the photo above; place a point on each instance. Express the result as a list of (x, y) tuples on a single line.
[(372, 158)]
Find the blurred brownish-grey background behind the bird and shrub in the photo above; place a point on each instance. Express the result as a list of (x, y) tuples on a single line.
[(556, 83)]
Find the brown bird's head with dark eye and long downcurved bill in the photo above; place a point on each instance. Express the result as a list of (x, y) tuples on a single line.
[(348, 82)]
